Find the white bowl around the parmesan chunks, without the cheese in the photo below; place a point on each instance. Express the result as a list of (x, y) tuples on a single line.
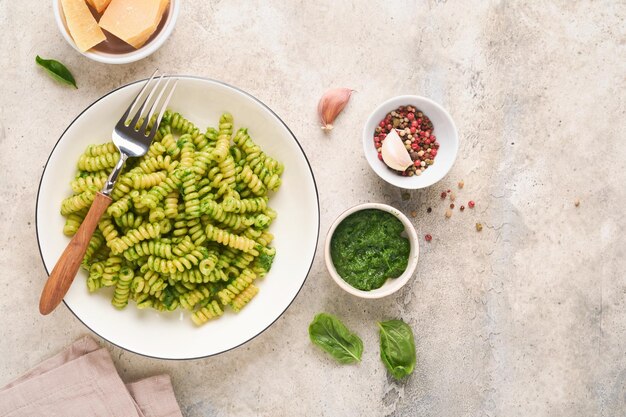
[(163, 32)]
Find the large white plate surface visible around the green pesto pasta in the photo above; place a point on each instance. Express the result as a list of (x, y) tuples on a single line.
[(173, 335)]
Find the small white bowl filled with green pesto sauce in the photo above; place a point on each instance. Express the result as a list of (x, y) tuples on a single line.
[(371, 250)]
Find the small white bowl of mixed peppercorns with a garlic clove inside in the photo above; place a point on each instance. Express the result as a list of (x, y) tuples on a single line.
[(428, 141)]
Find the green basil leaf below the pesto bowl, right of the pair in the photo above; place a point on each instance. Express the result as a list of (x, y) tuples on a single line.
[(397, 347)]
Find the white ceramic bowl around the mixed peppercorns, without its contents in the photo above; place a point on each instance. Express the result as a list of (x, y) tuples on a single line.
[(444, 129)]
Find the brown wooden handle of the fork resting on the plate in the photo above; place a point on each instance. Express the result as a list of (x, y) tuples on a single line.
[(67, 266)]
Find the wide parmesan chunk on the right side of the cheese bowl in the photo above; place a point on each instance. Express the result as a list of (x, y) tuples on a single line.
[(133, 21)]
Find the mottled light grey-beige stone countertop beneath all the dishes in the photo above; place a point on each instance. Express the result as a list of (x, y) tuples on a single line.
[(526, 318)]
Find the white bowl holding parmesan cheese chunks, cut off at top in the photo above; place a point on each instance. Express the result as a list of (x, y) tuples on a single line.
[(108, 35)]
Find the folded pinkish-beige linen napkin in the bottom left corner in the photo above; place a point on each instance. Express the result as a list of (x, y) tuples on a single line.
[(82, 381)]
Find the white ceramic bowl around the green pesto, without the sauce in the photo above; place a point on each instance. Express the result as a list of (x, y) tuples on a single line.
[(391, 285)]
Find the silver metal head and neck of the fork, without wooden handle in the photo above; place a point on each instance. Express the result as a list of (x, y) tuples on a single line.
[(135, 130)]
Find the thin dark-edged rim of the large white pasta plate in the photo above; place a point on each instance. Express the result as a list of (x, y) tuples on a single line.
[(293, 136)]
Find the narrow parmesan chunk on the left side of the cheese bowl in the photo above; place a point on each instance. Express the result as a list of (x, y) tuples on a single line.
[(81, 24)]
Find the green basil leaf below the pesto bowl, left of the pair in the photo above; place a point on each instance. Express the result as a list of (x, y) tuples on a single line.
[(329, 333)]
